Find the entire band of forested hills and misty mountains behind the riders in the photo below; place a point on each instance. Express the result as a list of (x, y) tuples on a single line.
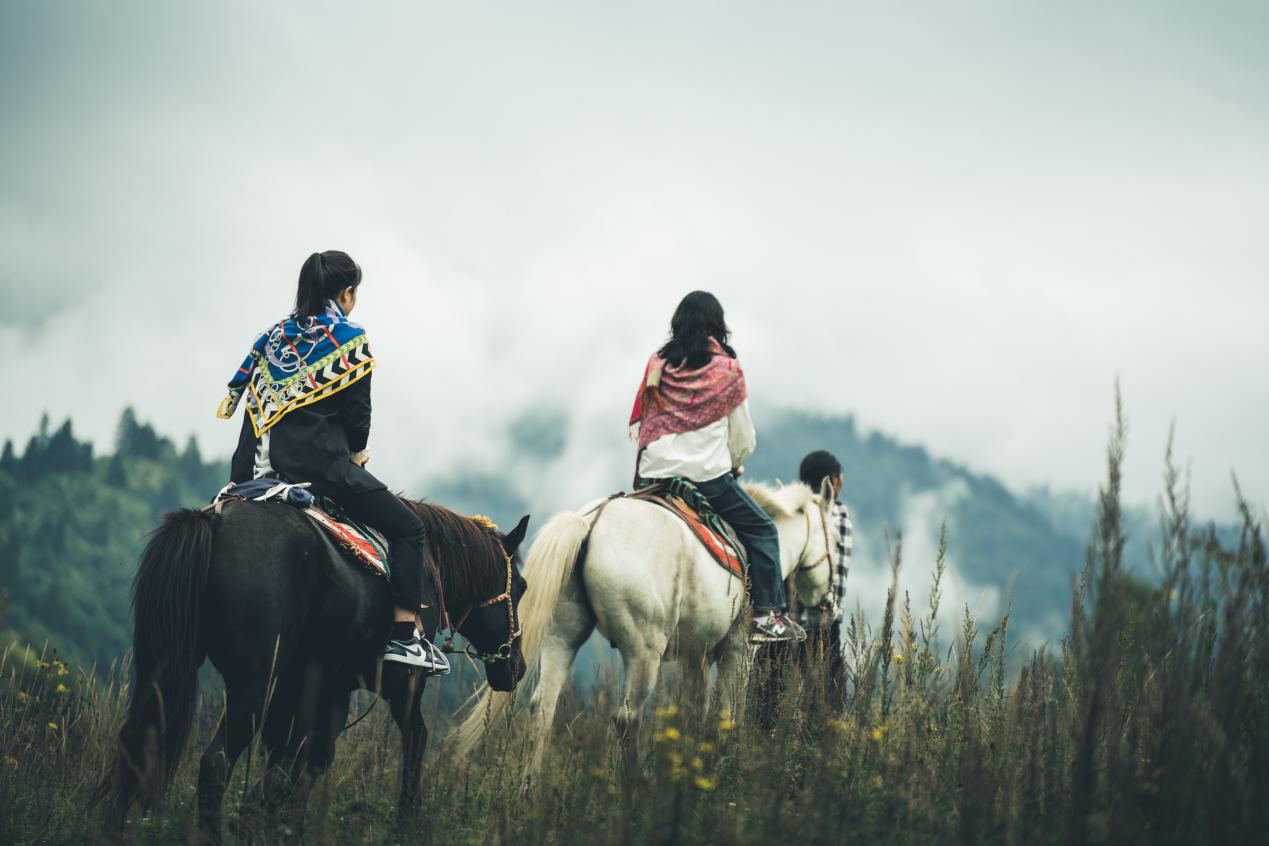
[(73, 522)]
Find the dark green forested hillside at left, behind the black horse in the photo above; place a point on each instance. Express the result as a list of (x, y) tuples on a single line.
[(72, 526)]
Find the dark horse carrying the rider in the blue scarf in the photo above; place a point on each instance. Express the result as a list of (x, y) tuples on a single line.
[(294, 628)]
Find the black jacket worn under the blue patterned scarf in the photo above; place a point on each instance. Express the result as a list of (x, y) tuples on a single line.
[(317, 445)]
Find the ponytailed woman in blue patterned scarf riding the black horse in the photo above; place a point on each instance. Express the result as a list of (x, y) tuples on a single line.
[(308, 387)]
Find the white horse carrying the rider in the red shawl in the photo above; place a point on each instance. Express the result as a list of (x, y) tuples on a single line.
[(654, 592)]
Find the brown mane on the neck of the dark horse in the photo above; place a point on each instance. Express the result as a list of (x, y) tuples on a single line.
[(468, 554)]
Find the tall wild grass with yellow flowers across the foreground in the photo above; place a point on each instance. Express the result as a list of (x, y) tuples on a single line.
[(1149, 724)]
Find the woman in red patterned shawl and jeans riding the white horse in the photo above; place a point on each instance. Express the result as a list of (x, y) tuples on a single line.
[(692, 413)]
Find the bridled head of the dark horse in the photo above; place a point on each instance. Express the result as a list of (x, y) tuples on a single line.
[(493, 627)]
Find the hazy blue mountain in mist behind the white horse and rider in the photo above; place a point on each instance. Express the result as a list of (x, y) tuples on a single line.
[(1003, 549)]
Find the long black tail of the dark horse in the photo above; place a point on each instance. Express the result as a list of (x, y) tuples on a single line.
[(167, 653)]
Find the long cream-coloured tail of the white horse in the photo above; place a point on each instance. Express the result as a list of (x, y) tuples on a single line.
[(548, 570)]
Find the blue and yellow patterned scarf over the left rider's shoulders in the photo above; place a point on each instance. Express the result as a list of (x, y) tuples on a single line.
[(296, 363)]
